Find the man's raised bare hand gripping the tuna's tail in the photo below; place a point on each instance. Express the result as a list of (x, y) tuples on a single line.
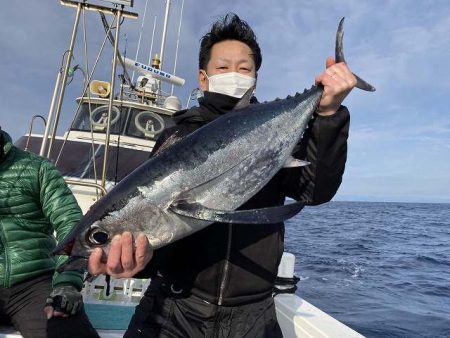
[(338, 81)]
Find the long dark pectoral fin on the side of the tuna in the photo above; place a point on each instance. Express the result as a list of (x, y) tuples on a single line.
[(253, 216)]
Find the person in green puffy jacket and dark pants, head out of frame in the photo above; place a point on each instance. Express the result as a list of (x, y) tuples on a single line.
[(35, 205)]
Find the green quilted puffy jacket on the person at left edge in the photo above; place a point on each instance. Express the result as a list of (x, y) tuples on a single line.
[(35, 205)]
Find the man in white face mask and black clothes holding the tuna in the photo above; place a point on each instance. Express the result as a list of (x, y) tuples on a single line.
[(219, 280)]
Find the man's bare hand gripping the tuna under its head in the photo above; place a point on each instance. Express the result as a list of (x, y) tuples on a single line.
[(124, 260)]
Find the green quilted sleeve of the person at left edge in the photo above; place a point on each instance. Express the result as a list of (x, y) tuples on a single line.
[(62, 210)]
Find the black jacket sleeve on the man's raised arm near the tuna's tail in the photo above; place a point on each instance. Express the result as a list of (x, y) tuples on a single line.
[(324, 145)]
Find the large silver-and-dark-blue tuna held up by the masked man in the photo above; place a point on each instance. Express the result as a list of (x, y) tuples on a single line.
[(202, 178)]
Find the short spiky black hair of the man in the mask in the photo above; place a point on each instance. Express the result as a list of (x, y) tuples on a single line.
[(230, 27)]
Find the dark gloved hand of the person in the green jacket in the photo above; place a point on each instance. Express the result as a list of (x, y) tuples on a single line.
[(63, 301)]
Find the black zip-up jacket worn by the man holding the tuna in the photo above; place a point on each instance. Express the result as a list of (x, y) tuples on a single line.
[(235, 264)]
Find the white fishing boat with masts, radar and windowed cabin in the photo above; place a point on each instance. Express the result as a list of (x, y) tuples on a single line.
[(114, 128)]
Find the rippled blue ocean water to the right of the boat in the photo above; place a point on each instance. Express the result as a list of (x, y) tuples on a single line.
[(381, 268)]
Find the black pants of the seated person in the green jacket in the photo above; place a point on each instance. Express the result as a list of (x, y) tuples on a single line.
[(23, 306)]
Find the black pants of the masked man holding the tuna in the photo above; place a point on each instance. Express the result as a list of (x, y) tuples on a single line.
[(162, 313)]
